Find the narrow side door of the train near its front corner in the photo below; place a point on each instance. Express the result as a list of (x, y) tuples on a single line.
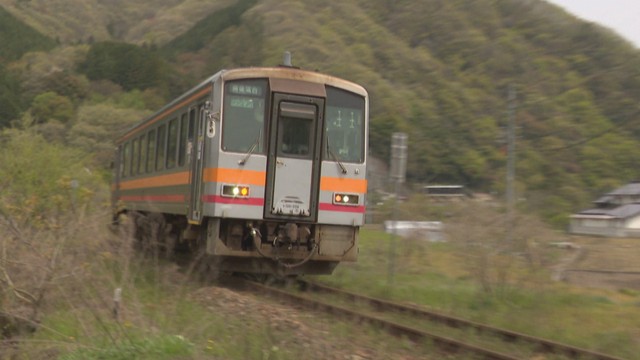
[(196, 141)]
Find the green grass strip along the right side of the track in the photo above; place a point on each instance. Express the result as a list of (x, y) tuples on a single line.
[(438, 276)]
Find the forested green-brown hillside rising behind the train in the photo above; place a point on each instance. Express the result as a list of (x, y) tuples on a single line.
[(438, 70)]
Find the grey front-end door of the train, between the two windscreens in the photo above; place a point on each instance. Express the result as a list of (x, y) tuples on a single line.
[(294, 157)]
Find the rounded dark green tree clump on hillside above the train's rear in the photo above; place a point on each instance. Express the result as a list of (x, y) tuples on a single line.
[(129, 66)]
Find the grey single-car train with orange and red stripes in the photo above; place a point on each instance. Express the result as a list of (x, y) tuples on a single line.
[(260, 170)]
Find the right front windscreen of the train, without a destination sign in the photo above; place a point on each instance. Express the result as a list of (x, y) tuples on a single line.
[(344, 126)]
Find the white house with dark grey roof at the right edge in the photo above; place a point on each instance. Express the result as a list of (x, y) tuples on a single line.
[(617, 214)]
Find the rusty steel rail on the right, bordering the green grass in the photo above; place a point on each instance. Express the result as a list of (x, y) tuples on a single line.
[(542, 345)]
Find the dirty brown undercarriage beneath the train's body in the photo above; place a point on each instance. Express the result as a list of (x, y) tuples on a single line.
[(246, 246)]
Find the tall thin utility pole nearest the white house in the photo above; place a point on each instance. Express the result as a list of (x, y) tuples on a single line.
[(511, 163)]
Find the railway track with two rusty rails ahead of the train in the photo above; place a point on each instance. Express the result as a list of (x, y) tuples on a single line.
[(514, 345)]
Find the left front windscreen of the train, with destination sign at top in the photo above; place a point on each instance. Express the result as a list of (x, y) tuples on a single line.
[(244, 114)]
